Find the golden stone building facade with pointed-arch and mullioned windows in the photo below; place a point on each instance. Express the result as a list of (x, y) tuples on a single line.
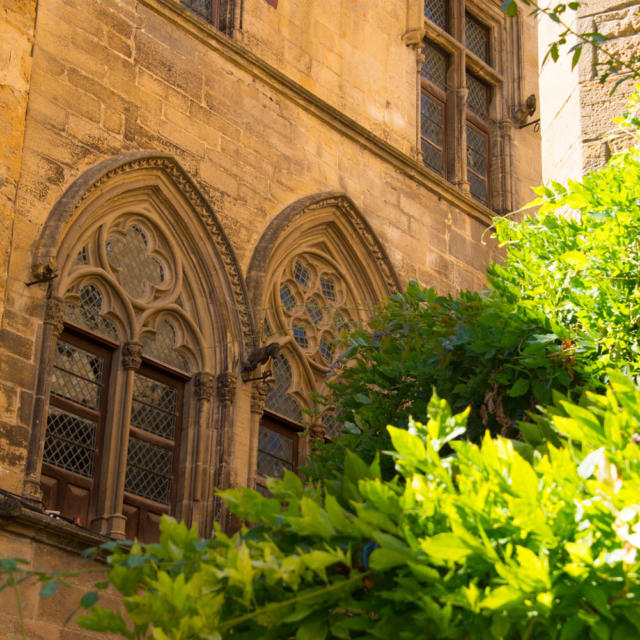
[(196, 198)]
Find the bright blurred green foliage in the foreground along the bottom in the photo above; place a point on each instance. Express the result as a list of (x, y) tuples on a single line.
[(476, 543)]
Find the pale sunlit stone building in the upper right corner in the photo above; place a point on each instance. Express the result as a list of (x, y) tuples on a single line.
[(577, 110)]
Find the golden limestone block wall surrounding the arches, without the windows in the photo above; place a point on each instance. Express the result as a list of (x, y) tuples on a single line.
[(307, 98)]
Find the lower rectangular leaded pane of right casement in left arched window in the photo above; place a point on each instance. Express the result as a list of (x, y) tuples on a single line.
[(149, 471)]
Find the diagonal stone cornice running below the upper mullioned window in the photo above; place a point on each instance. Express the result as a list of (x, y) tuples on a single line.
[(305, 99)]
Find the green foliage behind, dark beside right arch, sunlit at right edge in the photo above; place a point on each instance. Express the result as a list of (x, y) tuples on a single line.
[(562, 307)]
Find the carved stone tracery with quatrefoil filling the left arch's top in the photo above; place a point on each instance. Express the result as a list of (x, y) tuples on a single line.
[(122, 283)]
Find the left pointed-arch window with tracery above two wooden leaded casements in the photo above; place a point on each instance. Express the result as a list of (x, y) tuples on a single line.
[(122, 369)]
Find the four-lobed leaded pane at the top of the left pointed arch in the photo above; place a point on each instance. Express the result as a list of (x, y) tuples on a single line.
[(129, 254)]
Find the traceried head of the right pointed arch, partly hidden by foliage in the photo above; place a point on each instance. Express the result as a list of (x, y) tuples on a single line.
[(316, 271)]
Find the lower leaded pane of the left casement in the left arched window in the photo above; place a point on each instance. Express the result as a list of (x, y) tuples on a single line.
[(70, 442)]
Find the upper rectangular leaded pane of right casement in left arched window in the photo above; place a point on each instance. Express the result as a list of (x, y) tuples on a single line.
[(154, 407)]
